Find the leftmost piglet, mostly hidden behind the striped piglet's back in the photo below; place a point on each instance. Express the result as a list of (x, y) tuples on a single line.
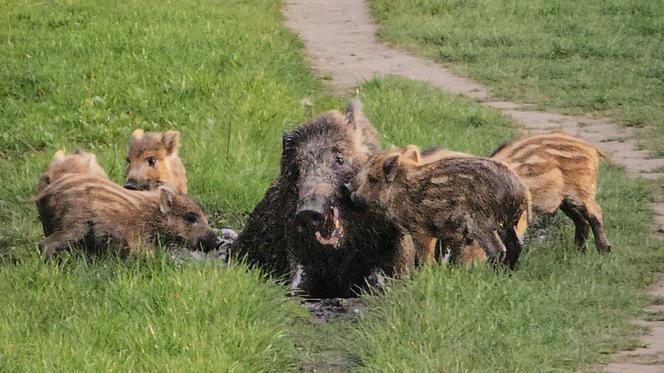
[(79, 162)]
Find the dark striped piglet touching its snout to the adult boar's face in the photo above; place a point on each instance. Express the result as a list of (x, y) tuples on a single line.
[(464, 202)]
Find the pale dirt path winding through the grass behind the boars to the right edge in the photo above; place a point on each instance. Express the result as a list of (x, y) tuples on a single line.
[(340, 39)]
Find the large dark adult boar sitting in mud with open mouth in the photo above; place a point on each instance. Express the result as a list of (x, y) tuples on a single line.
[(304, 221)]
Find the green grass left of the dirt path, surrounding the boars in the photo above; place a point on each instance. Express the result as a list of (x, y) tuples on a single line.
[(231, 78)]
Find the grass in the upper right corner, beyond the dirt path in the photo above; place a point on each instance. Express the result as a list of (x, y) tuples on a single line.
[(604, 57)]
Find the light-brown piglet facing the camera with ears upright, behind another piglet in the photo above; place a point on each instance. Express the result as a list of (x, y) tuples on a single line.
[(153, 160)]
